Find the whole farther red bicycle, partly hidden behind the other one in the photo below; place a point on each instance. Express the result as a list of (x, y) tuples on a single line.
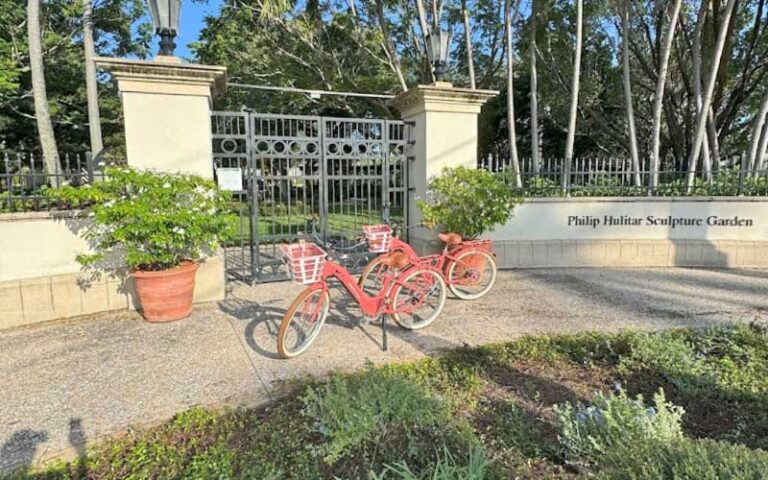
[(468, 266)]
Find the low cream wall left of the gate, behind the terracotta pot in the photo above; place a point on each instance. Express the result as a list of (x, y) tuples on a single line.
[(40, 280)]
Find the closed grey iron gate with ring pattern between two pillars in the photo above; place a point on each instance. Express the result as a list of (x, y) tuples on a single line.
[(294, 175)]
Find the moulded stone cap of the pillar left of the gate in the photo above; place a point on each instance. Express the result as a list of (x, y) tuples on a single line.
[(166, 70)]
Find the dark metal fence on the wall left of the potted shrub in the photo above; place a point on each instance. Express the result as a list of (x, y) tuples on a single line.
[(23, 176)]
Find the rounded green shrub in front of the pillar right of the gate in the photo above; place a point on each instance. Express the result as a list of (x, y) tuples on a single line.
[(468, 201)]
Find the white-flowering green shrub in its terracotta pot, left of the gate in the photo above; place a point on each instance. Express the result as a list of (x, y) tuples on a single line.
[(158, 226)]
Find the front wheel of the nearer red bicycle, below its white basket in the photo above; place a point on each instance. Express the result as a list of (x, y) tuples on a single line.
[(302, 322)]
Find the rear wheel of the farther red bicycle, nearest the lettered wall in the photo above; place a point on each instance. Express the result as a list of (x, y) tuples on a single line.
[(471, 275)]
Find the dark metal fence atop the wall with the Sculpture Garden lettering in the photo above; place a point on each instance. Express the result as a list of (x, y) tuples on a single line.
[(615, 176)]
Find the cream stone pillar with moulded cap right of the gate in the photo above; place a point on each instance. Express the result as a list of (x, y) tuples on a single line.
[(444, 134)]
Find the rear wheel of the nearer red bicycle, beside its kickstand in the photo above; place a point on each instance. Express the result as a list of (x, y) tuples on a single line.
[(418, 299)]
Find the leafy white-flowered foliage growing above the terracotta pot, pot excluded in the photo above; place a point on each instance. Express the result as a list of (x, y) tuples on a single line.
[(153, 221)]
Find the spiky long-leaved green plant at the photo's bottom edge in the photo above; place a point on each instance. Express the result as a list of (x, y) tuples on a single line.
[(446, 467)]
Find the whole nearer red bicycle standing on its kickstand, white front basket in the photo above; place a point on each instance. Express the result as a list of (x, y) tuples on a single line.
[(412, 294)]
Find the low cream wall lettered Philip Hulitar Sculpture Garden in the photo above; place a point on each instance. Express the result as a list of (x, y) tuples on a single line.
[(555, 232)]
